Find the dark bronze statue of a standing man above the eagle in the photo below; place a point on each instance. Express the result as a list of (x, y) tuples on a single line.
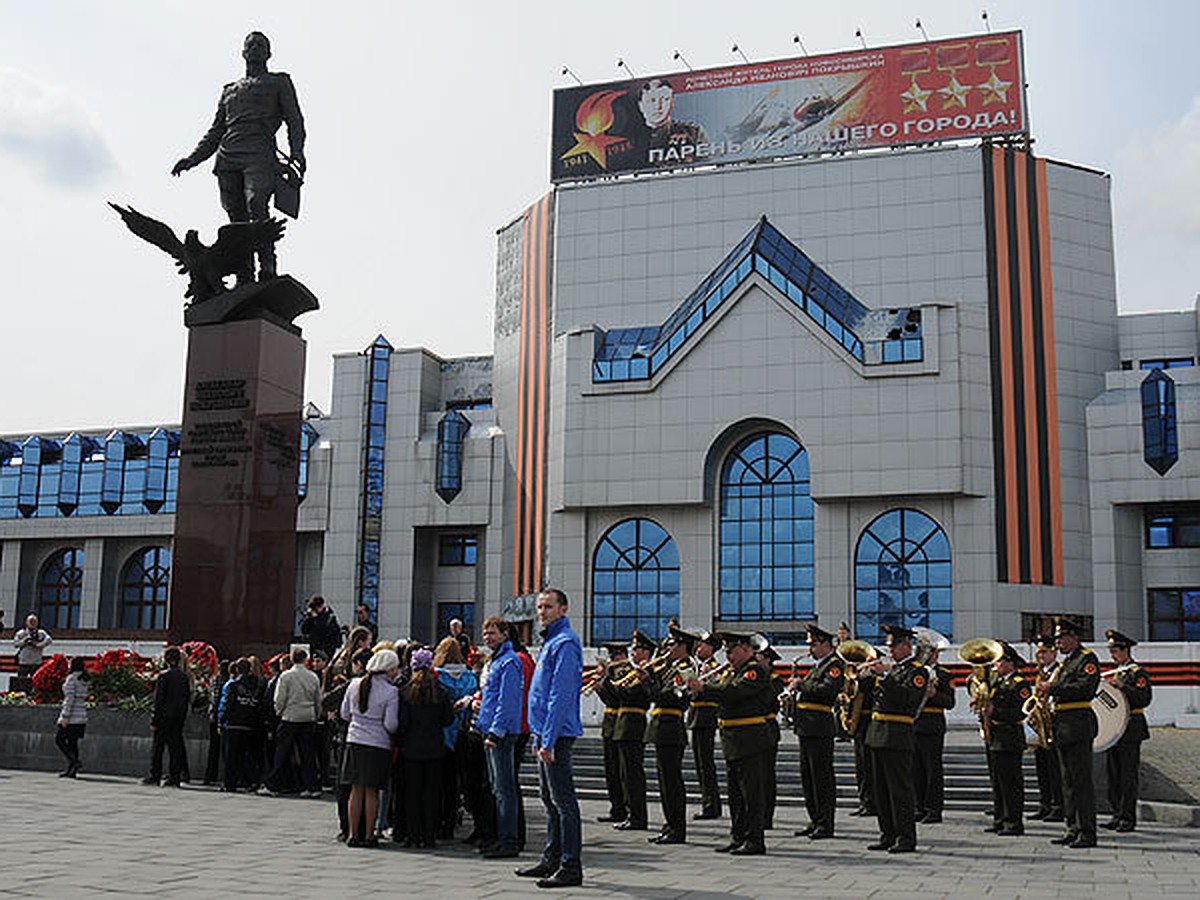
[(243, 137)]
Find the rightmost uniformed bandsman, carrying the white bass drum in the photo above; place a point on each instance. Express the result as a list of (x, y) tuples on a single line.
[(1124, 759)]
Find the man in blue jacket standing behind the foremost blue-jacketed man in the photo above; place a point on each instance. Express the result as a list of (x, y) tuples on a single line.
[(500, 721)]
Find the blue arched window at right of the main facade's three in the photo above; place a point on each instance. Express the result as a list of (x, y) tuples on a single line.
[(902, 575)]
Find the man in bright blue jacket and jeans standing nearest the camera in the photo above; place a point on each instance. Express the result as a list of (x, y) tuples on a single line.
[(554, 727)]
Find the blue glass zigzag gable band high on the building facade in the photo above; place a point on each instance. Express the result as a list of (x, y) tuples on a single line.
[(872, 337)]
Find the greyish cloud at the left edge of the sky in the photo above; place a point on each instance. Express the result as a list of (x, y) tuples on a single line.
[(52, 131)]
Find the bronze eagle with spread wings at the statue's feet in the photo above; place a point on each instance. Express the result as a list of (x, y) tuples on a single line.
[(207, 267)]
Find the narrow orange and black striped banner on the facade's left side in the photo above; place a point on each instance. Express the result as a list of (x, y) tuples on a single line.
[(533, 397)]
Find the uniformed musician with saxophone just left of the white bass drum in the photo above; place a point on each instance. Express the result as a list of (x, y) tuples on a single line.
[(1075, 729)]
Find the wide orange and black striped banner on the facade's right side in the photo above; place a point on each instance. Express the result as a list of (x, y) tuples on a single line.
[(1024, 373)]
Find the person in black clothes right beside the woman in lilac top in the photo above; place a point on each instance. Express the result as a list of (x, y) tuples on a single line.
[(425, 711)]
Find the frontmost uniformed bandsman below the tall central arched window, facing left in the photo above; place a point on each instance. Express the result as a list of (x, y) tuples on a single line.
[(746, 704)]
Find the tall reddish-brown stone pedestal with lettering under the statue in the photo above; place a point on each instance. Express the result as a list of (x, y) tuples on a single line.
[(233, 573)]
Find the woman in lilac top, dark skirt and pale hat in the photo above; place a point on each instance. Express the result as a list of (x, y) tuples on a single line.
[(371, 706)]
